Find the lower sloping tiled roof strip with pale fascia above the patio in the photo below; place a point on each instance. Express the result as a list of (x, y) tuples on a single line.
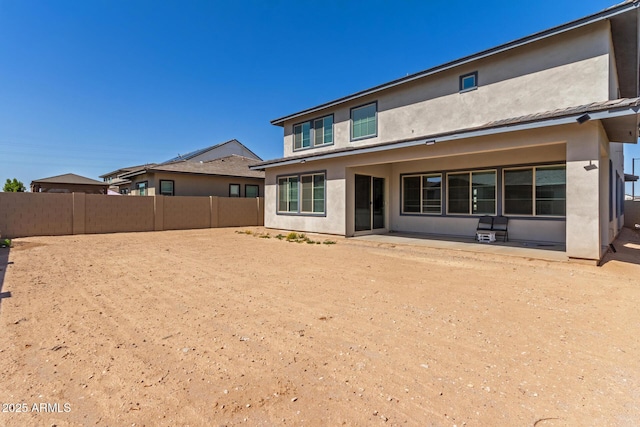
[(597, 111)]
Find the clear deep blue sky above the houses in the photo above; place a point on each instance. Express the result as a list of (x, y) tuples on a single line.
[(88, 86)]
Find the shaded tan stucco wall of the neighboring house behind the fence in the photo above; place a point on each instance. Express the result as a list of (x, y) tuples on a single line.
[(196, 185)]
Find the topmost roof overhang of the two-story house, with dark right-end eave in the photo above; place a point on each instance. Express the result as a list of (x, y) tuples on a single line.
[(624, 34)]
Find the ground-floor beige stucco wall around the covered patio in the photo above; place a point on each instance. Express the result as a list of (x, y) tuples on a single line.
[(577, 145)]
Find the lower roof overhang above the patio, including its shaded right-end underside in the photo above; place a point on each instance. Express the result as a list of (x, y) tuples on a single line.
[(619, 121)]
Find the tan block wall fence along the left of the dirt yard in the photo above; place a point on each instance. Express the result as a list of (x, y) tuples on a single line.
[(51, 214)]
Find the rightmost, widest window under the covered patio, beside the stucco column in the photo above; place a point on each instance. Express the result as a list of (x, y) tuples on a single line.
[(537, 190)]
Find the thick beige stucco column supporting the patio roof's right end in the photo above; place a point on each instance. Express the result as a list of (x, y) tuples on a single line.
[(583, 195)]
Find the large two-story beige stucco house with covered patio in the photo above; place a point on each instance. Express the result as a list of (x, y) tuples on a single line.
[(532, 130)]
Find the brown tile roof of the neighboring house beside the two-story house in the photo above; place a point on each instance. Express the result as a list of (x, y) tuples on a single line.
[(233, 165)]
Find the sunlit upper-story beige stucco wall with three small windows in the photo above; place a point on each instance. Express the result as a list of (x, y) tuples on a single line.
[(567, 70)]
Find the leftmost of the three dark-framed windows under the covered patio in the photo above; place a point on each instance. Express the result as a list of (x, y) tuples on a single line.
[(422, 194)]
